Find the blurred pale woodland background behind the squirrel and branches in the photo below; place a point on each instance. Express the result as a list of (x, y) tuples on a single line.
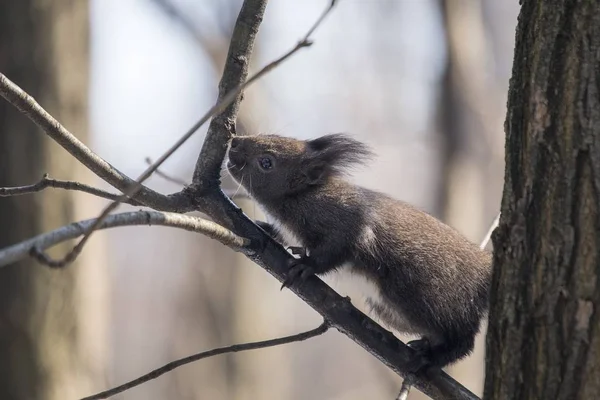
[(422, 81)]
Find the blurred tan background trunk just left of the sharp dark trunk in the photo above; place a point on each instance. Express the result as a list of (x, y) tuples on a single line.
[(470, 171)]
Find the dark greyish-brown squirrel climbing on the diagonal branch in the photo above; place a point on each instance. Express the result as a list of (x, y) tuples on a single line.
[(429, 280)]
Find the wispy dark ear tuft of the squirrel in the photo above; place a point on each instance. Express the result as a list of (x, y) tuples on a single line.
[(338, 151)]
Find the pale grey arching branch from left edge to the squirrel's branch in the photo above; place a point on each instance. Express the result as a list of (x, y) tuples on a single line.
[(44, 241)]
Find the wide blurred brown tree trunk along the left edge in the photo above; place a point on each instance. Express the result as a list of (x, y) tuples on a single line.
[(51, 325)]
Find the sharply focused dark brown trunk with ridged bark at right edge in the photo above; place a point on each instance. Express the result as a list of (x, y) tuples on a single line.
[(544, 332)]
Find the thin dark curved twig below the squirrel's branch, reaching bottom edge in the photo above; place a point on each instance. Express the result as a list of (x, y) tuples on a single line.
[(230, 349)]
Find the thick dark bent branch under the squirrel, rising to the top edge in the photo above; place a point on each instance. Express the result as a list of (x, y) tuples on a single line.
[(273, 257)]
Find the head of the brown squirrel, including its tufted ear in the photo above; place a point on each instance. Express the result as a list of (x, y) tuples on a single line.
[(271, 166)]
